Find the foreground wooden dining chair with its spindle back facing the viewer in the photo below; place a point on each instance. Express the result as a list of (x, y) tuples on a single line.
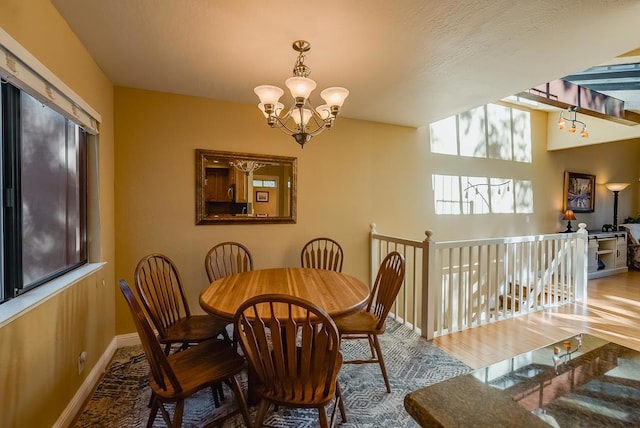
[(293, 347)]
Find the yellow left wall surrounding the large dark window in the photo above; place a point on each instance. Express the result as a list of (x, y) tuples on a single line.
[(38, 356)]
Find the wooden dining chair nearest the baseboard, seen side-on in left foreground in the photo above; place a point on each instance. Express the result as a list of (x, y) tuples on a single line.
[(175, 377)]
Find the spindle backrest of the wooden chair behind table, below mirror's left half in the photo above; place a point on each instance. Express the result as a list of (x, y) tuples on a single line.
[(227, 258)]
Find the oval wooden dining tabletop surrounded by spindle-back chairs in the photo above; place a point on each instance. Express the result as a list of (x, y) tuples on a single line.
[(337, 293)]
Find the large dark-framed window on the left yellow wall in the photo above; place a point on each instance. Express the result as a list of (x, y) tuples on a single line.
[(44, 178)]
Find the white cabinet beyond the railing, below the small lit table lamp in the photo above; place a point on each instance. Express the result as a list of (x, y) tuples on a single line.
[(607, 254)]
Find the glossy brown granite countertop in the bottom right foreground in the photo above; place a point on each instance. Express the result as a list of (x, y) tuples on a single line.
[(583, 380)]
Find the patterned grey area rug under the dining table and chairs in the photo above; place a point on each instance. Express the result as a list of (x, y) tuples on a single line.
[(120, 400)]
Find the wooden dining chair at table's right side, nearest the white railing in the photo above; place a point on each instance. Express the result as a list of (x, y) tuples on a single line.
[(369, 323)]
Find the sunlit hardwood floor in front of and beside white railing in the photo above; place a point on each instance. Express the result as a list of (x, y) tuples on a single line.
[(612, 312)]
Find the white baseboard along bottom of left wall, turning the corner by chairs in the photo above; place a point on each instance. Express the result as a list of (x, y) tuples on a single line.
[(90, 382)]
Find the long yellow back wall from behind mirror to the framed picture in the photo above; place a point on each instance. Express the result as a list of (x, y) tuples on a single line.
[(358, 173)]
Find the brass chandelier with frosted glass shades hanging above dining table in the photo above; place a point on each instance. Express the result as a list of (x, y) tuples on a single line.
[(301, 121)]
